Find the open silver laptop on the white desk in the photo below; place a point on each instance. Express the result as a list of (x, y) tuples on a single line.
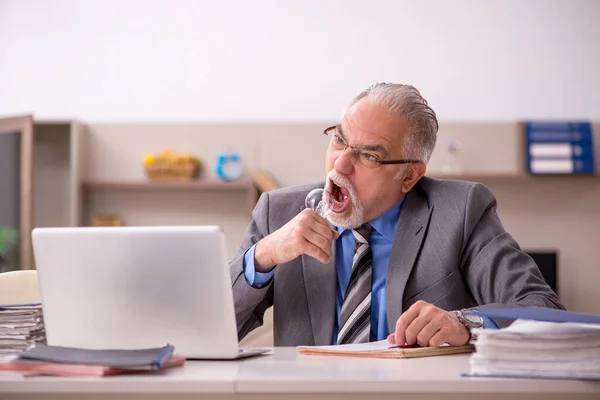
[(137, 287)]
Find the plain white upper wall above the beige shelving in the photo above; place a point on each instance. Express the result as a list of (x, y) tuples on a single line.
[(269, 60)]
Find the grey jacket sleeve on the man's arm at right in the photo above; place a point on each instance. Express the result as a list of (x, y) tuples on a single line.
[(497, 271)]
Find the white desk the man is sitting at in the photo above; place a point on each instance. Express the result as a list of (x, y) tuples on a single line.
[(284, 374)]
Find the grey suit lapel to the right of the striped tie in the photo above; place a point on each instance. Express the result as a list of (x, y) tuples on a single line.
[(410, 232)]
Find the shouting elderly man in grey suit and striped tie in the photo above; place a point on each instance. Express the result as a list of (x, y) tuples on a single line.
[(399, 255)]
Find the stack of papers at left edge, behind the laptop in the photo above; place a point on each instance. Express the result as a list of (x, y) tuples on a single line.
[(21, 325)]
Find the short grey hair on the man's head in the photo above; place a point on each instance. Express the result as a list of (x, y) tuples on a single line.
[(406, 100)]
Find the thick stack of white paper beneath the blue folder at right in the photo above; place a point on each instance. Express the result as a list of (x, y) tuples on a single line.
[(538, 349)]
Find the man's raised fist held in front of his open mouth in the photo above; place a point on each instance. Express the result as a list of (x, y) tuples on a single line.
[(308, 233)]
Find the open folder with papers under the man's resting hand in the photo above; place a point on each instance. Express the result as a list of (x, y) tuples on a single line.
[(383, 349)]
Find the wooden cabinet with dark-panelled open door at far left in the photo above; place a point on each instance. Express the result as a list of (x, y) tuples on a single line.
[(39, 184)]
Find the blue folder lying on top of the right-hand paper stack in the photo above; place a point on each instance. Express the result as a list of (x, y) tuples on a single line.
[(538, 314)]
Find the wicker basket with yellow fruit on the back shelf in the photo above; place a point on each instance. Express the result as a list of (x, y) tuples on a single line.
[(168, 165)]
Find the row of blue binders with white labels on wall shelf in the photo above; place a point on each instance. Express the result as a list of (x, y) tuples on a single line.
[(565, 148)]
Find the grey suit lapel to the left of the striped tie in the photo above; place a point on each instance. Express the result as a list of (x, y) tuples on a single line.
[(319, 281)]
